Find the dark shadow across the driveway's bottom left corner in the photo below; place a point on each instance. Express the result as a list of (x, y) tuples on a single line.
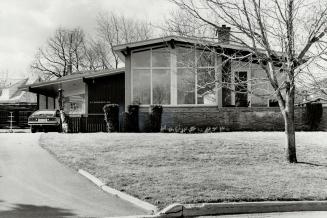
[(29, 211)]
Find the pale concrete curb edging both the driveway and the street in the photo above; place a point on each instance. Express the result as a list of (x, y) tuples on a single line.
[(207, 209)]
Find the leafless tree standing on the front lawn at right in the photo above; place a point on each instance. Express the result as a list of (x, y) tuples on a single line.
[(294, 27)]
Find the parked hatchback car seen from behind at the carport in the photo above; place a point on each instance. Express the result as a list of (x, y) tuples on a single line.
[(45, 120)]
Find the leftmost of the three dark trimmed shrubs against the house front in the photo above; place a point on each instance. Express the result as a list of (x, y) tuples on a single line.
[(111, 116)]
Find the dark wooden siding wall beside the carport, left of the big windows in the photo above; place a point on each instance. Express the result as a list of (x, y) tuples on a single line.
[(106, 90)]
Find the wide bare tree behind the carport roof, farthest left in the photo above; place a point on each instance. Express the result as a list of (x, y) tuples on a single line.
[(63, 53)]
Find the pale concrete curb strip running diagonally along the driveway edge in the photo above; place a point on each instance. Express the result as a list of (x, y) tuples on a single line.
[(142, 204)]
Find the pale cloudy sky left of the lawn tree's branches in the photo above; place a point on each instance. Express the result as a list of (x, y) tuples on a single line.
[(26, 24)]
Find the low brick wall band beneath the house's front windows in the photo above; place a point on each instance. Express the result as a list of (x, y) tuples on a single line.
[(236, 119)]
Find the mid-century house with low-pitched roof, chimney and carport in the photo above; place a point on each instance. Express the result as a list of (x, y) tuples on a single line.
[(194, 81)]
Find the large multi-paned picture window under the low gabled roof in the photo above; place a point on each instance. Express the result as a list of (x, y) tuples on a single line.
[(185, 75)]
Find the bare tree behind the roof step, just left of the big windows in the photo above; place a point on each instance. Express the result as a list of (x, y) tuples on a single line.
[(114, 29)]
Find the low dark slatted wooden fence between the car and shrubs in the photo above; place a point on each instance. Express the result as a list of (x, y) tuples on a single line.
[(92, 123)]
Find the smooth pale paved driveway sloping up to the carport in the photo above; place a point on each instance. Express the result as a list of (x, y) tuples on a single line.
[(34, 184)]
